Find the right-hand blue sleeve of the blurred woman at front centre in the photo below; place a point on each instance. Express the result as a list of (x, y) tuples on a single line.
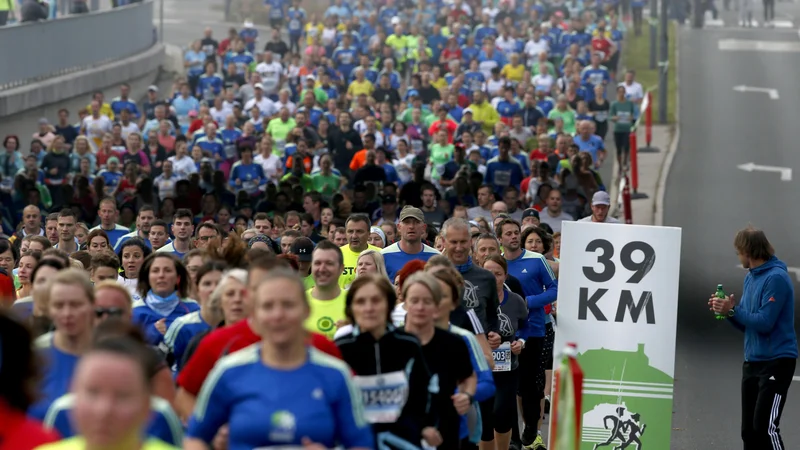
[(353, 429)]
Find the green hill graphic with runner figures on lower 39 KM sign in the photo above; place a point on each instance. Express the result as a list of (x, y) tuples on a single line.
[(626, 402)]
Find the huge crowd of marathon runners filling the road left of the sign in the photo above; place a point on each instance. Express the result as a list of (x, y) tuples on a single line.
[(345, 233)]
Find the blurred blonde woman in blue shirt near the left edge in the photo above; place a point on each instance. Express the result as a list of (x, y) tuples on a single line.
[(70, 305)]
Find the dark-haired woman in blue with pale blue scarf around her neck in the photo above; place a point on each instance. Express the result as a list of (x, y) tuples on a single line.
[(163, 285)]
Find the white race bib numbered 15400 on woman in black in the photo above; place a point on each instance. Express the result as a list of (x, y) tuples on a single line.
[(384, 396)]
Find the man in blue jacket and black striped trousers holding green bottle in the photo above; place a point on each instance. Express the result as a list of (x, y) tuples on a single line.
[(766, 316)]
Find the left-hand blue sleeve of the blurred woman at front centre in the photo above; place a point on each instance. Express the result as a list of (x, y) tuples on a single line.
[(212, 409)]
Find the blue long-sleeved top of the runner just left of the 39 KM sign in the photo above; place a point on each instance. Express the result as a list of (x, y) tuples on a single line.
[(539, 286)]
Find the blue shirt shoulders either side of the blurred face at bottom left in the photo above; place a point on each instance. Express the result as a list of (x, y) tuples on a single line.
[(164, 423)]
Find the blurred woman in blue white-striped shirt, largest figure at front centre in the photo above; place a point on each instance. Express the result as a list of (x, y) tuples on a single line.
[(280, 392)]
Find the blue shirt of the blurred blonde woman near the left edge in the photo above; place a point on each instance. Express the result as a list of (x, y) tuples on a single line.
[(56, 376)]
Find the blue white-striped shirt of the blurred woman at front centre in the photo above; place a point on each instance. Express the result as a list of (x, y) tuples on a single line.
[(265, 407)]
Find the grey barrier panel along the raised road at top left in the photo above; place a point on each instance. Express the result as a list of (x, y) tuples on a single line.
[(40, 50)]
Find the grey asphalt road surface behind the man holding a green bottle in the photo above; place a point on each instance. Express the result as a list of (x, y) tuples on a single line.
[(710, 198)]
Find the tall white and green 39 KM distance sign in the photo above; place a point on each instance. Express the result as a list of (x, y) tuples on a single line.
[(618, 302)]
